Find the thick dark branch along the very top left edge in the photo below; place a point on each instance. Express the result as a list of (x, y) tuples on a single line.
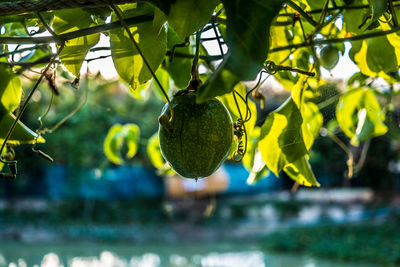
[(32, 6)]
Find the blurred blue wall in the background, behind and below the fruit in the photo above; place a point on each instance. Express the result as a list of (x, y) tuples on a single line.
[(134, 182)]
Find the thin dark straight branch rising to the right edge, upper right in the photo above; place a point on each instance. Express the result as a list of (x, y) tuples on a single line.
[(335, 40)]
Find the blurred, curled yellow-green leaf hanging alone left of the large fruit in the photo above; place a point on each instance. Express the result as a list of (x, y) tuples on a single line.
[(118, 136)]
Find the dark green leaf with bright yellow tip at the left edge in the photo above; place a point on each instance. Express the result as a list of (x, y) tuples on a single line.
[(21, 134)]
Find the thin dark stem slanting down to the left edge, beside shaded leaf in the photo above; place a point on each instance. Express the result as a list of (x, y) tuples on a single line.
[(25, 104)]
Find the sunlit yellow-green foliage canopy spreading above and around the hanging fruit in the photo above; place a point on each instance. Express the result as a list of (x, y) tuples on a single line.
[(283, 39)]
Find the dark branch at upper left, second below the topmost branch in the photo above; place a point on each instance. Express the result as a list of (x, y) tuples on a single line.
[(75, 34)]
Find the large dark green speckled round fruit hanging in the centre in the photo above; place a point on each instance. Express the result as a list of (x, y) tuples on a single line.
[(201, 138)]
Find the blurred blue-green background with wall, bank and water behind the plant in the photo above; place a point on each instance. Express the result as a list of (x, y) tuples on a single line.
[(83, 210)]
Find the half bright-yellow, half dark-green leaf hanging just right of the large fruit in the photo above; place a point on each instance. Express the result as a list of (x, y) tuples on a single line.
[(281, 137)]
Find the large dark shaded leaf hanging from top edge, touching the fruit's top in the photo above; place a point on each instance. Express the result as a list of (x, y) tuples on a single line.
[(247, 36)]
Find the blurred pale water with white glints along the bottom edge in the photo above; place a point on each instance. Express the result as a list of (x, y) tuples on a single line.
[(85, 254)]
